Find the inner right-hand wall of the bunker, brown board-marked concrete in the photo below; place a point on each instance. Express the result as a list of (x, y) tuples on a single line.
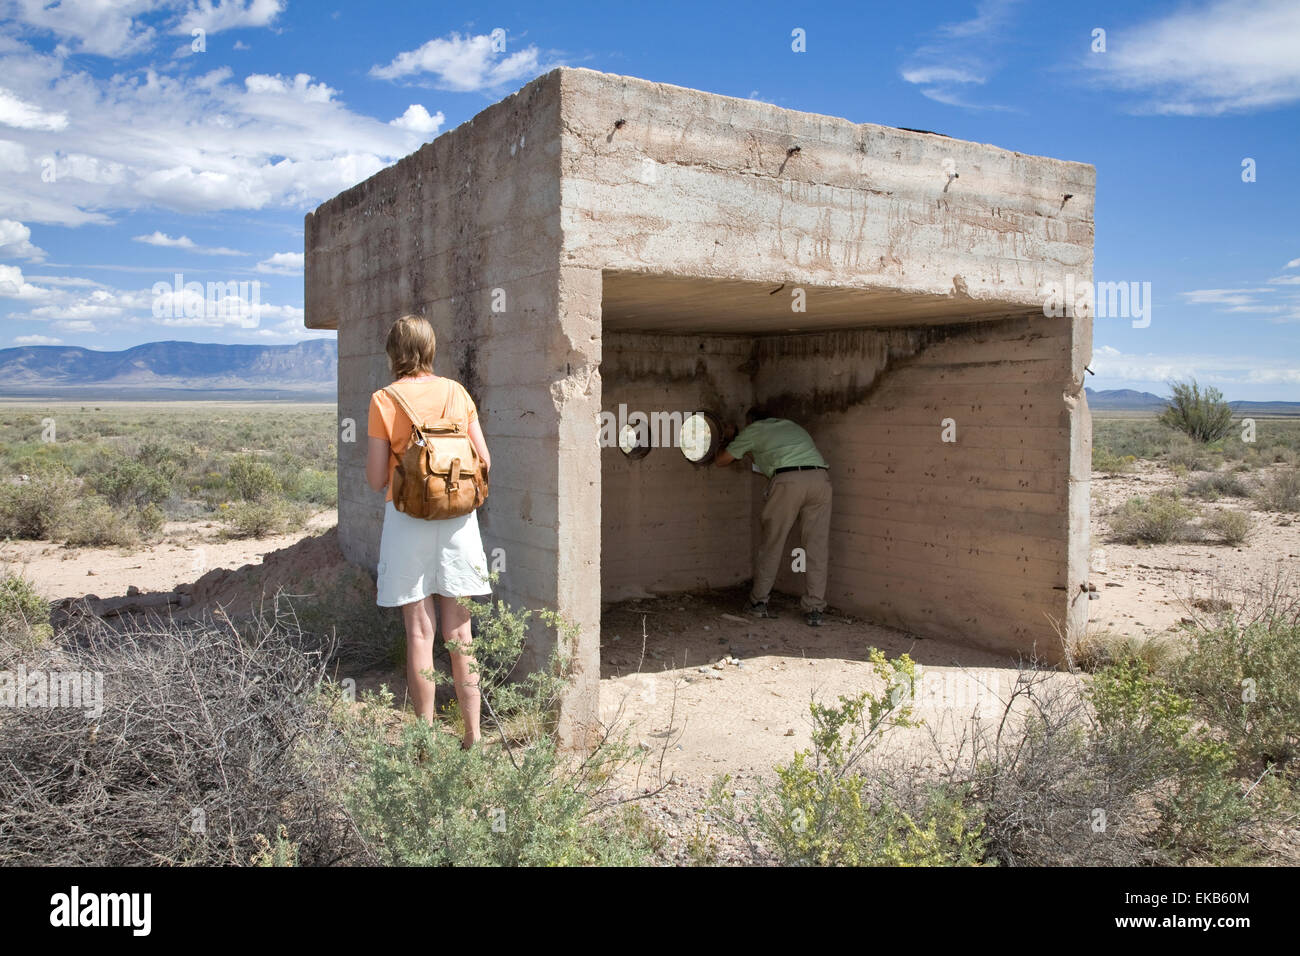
[(967, 538)]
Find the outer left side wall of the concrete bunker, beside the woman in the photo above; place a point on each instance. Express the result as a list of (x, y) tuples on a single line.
[(469, 223)]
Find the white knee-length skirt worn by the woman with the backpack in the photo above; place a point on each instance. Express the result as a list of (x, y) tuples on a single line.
[(419, 559)]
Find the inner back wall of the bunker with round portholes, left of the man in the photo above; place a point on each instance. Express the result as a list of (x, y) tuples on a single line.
[(668, 525)]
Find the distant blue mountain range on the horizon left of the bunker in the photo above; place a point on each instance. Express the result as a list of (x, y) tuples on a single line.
[(174, 370)]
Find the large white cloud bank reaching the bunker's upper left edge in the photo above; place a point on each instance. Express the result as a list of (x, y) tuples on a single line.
[(198, 144)]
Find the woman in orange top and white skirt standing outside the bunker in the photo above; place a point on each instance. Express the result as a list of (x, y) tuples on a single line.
[(422, 560)]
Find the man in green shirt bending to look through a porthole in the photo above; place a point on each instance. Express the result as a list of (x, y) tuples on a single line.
[(799, 486)]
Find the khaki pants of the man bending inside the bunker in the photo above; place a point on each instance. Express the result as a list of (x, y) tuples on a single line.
[(804, 495)]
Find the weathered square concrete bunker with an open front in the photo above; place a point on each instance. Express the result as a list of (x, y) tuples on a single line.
[(603, 210)]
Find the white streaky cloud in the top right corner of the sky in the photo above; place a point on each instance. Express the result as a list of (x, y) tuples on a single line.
[(1224, 58)]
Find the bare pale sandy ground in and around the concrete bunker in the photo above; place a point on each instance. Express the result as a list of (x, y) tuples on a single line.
[(703, 689)]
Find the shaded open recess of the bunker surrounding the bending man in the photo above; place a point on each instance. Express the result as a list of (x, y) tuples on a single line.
[(941, 419)]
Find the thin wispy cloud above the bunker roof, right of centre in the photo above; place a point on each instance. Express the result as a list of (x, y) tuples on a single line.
[(960, 57)]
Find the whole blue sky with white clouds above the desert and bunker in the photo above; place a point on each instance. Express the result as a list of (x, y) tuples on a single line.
[(128, 157)]
